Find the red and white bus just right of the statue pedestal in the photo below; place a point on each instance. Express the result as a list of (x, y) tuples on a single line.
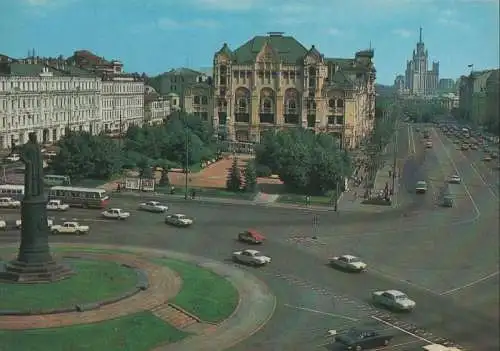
[(80, 197)]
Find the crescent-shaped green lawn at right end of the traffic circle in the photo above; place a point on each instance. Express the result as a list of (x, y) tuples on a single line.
[(204, 293)]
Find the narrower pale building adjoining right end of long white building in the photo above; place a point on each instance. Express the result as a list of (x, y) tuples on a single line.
[(122, 102)]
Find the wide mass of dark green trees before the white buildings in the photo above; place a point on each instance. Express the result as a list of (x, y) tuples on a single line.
[(165, 146)]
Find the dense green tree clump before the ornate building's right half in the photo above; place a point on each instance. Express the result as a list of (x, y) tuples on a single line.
[(307, 163)]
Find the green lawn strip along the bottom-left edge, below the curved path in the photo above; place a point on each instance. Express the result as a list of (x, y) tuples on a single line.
[(138, 332)]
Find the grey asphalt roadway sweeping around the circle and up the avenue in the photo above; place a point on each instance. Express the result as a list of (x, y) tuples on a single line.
[(446, 259)]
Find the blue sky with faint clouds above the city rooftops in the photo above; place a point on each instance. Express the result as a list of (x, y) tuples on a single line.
[(154, 36)]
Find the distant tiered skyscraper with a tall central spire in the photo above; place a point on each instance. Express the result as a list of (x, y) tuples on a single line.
[(418, 79)]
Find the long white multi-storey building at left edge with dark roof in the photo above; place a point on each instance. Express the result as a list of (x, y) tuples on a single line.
[(48, 101)]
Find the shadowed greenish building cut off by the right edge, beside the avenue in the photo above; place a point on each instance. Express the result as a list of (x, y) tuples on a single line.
[(478, 97)]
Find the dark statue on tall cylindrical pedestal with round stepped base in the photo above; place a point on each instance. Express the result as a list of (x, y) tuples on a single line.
[(34, 262)]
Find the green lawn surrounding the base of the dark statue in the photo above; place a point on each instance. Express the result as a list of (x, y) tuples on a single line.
[(95, 280)]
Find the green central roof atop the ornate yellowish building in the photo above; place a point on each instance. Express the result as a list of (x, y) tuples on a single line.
[(287, 48)]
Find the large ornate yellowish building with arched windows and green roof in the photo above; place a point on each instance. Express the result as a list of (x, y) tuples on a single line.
[(273, 82)]
